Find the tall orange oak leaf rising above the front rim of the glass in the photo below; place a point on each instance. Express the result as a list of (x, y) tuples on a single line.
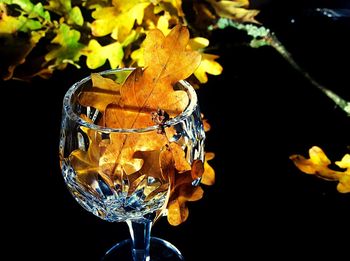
[(150, 89)]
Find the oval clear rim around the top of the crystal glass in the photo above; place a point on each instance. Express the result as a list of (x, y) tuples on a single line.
[(67, 106)]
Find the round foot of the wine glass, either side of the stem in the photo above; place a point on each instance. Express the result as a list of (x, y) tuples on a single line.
[(160, 250)]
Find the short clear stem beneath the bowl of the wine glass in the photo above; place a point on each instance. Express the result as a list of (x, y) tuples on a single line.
[(140, 231)]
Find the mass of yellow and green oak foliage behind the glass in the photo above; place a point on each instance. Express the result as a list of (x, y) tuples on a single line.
[(39, 37)]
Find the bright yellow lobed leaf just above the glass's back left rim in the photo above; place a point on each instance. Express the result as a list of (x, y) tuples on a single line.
[(97, 54)]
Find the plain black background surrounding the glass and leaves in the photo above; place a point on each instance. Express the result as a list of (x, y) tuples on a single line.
[(261, 112)]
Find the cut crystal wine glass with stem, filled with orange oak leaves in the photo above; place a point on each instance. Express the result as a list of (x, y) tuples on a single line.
[(105, 180)]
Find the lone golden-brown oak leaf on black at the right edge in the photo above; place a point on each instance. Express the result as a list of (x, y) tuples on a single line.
[(318, 164)]
